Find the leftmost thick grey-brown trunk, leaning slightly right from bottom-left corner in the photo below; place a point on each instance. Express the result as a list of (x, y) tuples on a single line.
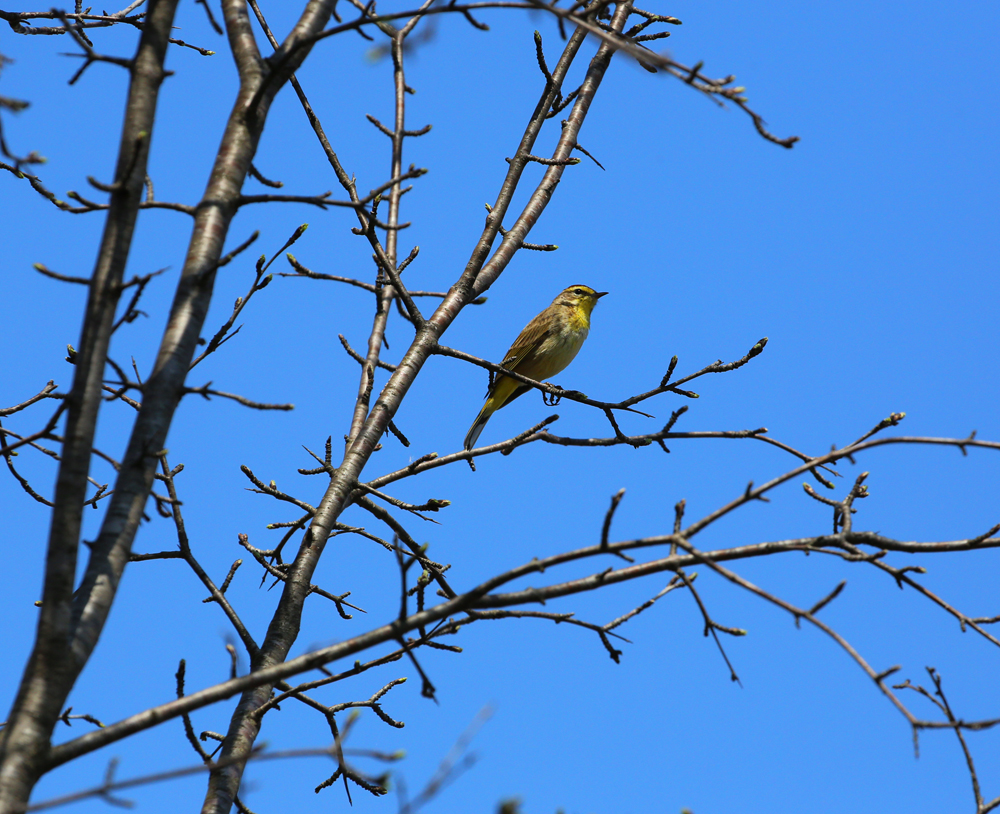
[(55, 662)]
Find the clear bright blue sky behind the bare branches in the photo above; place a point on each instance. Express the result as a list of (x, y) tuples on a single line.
[(868, 254)]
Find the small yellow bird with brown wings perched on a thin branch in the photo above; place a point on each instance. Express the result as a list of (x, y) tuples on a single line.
[(546, 346)]
